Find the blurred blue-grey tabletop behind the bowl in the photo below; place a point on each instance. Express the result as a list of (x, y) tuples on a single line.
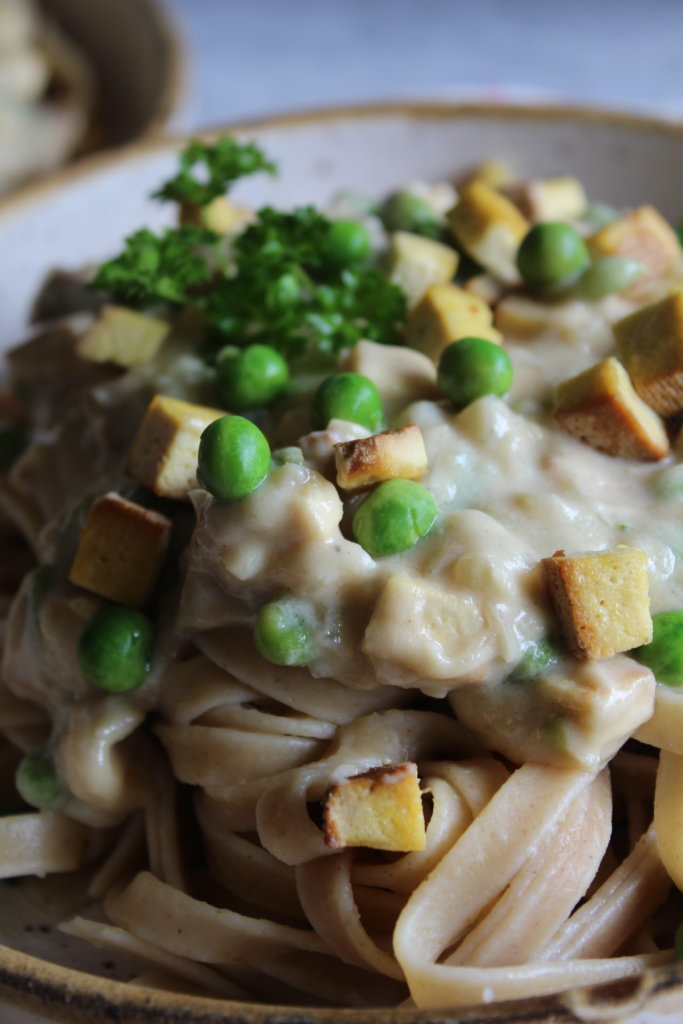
[(252, 58)]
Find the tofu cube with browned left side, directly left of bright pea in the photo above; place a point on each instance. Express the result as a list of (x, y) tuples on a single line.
[(164, 453)]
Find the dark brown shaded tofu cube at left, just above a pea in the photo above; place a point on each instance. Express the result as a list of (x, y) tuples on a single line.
[(121, 550)]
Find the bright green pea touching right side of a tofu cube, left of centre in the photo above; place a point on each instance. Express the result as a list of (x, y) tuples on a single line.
[(234, 458)]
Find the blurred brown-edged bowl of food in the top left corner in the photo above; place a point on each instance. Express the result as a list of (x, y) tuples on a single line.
[(77, 76)]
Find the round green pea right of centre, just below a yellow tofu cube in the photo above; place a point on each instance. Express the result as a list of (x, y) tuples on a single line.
[(472, 368)]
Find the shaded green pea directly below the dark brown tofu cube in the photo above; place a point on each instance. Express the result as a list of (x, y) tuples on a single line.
[(115, 649)]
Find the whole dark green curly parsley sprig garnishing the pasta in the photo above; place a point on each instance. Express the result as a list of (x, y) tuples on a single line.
[(281, 283)]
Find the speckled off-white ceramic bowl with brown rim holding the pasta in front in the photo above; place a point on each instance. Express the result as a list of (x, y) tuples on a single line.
[(80, 217)]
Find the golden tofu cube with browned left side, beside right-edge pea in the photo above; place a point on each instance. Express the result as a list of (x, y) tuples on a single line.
[(602, 601)]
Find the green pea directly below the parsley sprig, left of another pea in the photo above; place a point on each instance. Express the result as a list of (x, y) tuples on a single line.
[(250, 378)]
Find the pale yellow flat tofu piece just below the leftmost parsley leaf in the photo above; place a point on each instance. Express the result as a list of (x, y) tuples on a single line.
[(123, 336)]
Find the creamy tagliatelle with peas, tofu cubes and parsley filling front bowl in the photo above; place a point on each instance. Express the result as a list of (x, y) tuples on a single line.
[(343, 592)]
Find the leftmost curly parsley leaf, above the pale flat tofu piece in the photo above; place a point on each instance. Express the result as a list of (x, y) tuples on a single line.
[(158, 268)]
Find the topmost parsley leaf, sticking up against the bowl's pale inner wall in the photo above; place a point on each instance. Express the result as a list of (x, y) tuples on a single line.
[(207, 170)]
